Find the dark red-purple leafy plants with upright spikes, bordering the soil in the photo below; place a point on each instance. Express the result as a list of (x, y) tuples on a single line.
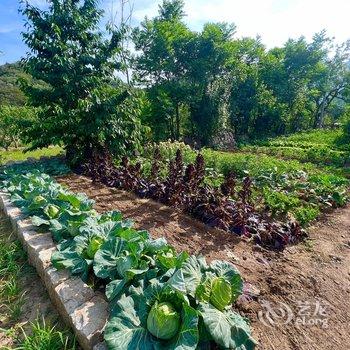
[(228, 207)]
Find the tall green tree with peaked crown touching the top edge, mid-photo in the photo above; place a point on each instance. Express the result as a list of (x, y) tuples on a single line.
[(160, 66)]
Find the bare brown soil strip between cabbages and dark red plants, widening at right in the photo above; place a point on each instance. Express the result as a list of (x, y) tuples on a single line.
[(307, 286)]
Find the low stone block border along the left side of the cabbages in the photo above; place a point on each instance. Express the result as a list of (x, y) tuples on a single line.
[(84, 310)]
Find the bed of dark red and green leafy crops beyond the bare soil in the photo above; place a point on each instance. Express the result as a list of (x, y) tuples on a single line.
[(255, 196)]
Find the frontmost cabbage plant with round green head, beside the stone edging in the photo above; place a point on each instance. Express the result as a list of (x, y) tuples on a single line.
[(154, 318)]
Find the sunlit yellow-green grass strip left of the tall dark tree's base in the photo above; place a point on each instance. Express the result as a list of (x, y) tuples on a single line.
[(20, 155)]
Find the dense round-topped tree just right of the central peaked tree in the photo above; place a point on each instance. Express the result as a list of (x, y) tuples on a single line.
[(208, 77)]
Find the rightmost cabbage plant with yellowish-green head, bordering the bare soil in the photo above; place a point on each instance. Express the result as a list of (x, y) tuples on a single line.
[(213, 289)]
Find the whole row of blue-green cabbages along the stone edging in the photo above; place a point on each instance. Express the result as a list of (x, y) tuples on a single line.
[(159, 299)]
